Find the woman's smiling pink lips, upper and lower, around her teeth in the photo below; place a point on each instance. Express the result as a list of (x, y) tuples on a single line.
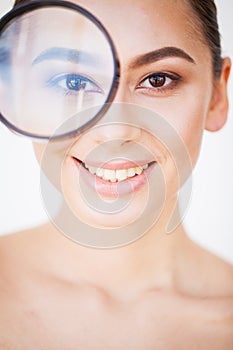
[(115, 189)]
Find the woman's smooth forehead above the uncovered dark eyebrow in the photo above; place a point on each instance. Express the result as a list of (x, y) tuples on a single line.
[(150, 24)]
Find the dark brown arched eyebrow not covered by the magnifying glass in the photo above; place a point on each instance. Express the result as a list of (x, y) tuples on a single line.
[(160, 54)]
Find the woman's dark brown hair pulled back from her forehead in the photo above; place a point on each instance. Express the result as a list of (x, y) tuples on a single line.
[(206, 14)]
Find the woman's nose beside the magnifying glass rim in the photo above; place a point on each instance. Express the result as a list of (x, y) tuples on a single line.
[(115, 124)]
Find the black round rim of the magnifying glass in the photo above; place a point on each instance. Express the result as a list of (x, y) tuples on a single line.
[(39, 4)]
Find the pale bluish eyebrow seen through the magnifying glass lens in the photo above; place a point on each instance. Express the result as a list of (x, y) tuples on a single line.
[(67, 55)]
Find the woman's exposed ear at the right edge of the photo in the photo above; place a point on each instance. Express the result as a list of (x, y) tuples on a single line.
[(218, 110)]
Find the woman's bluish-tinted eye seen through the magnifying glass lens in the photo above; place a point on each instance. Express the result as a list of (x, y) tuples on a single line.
[(74, 83)]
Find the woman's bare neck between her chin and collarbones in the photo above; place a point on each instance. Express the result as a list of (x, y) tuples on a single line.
[(149, 262)]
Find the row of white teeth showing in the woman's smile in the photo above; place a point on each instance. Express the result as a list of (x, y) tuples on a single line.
[(116, 175)]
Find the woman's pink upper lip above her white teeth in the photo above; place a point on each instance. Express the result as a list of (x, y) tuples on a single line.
[(116, 164)]
